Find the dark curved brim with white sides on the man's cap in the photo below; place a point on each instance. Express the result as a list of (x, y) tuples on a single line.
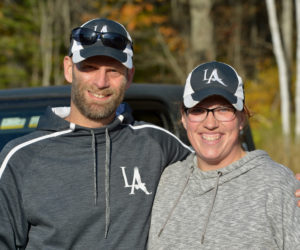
[(85, 53)]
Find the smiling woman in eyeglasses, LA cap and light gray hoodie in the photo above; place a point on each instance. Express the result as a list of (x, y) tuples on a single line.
[(222, 197)]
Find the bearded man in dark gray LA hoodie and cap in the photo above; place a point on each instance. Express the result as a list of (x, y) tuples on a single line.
[(86, 178)]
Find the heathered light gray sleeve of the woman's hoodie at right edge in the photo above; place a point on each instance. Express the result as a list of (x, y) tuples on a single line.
[(284, 214)]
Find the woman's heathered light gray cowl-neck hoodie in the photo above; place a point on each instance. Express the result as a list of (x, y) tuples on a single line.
[(249, 204)]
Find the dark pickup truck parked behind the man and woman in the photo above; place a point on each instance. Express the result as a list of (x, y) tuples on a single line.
[(20, 109)]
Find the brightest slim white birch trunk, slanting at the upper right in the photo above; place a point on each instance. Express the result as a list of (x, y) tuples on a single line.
[(283, 69)]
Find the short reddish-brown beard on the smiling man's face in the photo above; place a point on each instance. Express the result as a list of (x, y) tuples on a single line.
[(93, 110)]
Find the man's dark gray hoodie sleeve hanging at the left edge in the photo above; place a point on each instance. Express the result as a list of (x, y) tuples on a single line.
[(13, 224)]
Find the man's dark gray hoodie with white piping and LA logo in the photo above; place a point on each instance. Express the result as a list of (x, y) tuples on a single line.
[(69, 187)]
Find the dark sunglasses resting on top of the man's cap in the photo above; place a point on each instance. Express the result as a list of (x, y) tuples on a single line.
[(88, 37)]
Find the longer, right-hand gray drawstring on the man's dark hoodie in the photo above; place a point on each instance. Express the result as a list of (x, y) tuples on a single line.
[(107, 182)]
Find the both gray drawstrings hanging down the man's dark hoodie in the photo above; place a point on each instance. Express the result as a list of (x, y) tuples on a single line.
[(107, 177)]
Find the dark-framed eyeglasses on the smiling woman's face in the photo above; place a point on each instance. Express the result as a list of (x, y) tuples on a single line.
[(222, 114)]
